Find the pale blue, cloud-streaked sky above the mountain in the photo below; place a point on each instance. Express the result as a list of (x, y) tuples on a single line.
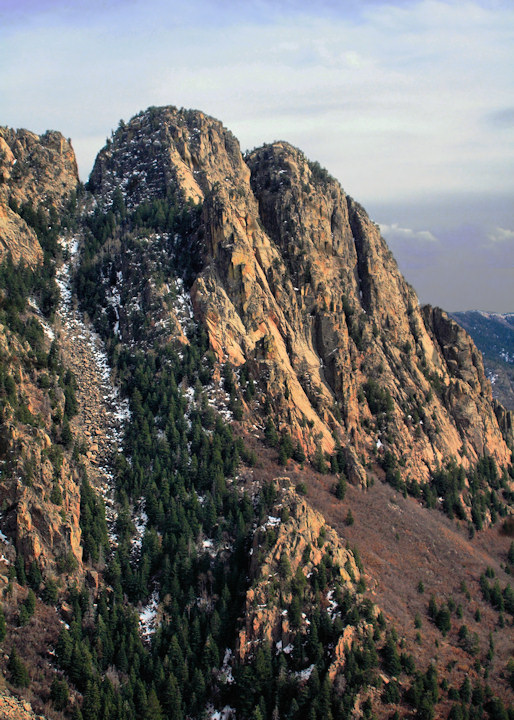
[(408, 103)]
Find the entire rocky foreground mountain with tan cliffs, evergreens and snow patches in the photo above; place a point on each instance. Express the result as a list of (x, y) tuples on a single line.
[(243, 468)]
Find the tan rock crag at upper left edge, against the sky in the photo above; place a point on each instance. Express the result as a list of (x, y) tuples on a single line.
[(39, 170)]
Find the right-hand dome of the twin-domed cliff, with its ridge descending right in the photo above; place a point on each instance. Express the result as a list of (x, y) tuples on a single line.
[(365, 325)]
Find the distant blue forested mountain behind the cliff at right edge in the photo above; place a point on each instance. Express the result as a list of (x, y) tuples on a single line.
[(493, 334)]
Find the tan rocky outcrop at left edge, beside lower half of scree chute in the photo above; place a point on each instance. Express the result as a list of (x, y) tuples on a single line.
[(39, 488)]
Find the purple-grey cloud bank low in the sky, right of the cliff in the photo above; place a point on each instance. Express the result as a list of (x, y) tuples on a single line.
[(471, 263)]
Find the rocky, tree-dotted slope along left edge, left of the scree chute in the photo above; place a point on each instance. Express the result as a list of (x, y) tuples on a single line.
[(51, 522)]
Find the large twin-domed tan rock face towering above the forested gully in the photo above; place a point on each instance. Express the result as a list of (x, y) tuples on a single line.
[(293, 280)]
